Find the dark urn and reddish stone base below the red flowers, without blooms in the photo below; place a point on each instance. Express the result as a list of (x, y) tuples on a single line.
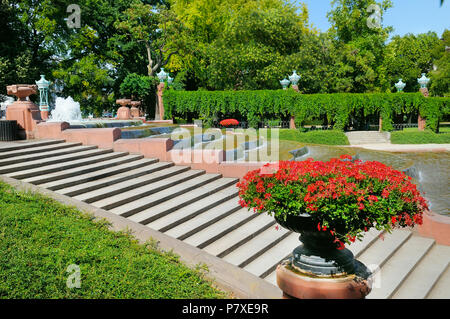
[(317, 268)]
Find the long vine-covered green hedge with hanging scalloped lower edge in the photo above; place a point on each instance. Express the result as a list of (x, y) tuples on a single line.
[(256, 106)]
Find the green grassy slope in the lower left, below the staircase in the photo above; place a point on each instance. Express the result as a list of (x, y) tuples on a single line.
[(40, 238)]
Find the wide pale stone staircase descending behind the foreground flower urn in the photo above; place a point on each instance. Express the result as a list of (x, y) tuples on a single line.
[(202, 210)]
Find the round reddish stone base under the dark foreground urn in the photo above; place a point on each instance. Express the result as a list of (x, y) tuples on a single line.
[(296, 284)]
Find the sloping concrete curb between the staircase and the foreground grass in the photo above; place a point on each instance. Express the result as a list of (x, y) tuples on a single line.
[(226, 276)]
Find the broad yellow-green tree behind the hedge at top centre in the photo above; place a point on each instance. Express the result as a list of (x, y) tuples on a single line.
[(238, 44)]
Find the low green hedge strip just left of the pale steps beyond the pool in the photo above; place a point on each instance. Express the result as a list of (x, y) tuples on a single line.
[(315, 137)]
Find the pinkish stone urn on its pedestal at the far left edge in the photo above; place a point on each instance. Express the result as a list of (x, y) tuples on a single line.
[(24, 111)]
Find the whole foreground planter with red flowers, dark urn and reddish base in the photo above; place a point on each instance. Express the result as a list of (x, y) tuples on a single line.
[(330, 203)]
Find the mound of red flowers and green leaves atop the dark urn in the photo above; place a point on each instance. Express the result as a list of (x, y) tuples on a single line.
[(344, 197)]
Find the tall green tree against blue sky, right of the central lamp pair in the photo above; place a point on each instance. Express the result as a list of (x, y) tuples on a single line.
[(360, 41)]
